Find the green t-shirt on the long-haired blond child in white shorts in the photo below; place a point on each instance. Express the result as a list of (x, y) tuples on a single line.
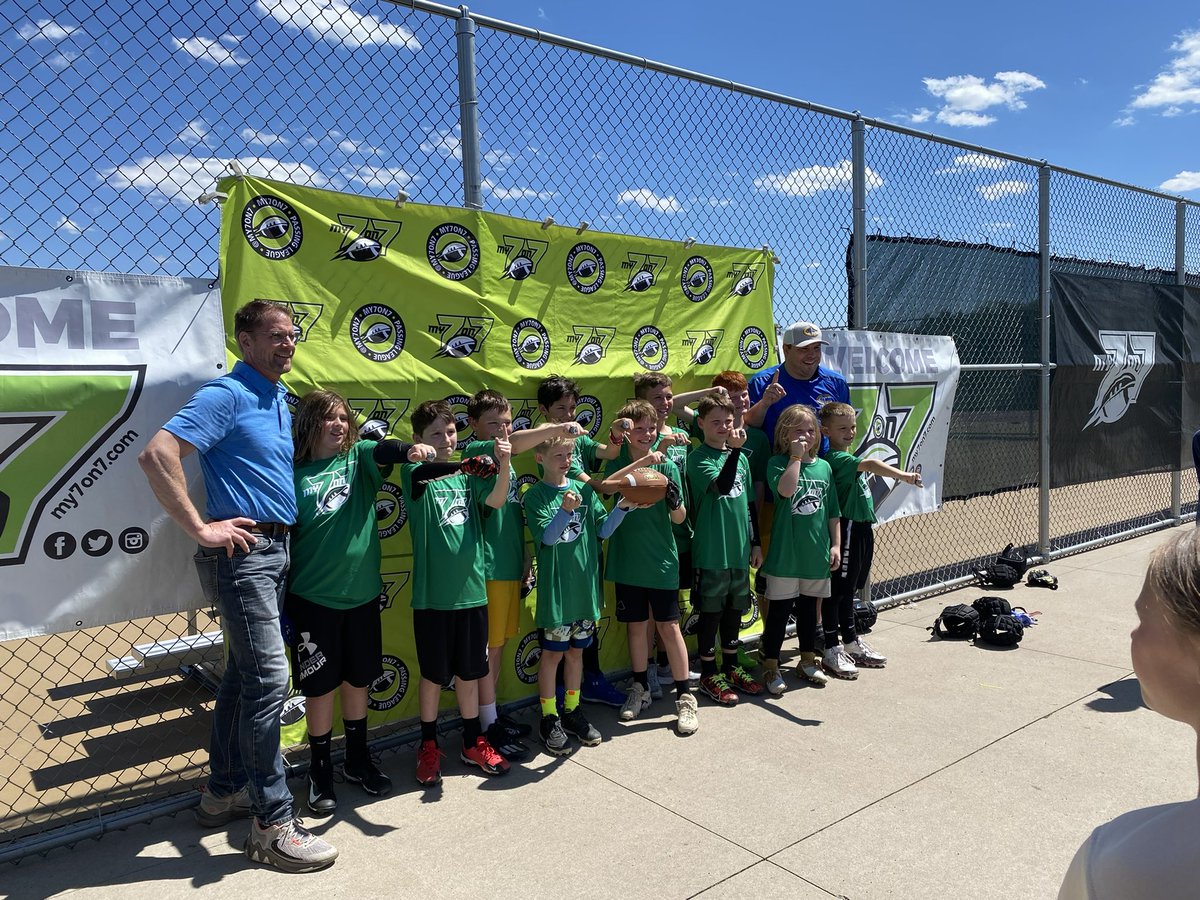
[(800, 538)]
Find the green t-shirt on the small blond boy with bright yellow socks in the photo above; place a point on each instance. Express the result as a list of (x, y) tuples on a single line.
[(568, 571)]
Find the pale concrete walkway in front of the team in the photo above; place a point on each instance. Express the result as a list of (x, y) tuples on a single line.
[(958, 771)]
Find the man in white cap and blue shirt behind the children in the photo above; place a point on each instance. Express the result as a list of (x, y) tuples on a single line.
[(800, 379)]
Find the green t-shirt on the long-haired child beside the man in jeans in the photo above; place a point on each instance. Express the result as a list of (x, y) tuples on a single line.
[(335, 548)]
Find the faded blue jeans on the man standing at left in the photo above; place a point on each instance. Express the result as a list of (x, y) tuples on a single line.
[(244, 752)]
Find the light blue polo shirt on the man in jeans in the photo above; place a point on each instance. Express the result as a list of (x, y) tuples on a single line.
[(242, 427)]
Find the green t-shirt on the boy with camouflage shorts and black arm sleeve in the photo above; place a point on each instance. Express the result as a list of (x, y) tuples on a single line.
[(721, 523)]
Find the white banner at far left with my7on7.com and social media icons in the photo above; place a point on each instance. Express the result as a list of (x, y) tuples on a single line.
[(92, 367)]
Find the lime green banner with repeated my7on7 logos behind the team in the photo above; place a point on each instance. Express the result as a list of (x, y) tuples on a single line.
[(398, 305)]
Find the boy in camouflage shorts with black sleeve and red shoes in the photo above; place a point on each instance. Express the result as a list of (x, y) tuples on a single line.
[(724, 548)]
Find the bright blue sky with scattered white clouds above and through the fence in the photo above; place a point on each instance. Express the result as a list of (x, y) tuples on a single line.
[(122, 115)]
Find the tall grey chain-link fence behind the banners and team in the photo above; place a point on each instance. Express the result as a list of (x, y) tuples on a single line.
[(121, 116)]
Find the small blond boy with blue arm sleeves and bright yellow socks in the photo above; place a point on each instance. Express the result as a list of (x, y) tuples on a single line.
[(567, 521)]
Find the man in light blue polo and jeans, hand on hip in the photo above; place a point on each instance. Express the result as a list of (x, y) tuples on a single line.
[(242, 428)]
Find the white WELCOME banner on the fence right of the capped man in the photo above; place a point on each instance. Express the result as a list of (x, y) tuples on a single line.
[(903, 387)]
